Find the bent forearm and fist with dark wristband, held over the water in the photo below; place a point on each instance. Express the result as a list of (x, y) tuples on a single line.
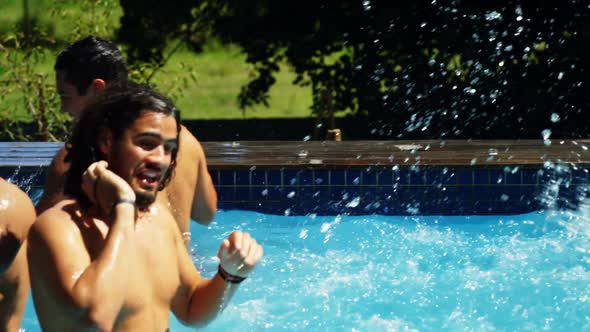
[(198, 301)]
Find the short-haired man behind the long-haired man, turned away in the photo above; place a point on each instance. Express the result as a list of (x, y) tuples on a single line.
[(85, 68)]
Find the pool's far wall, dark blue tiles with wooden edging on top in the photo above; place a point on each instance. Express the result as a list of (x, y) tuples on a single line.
[(271, 183)]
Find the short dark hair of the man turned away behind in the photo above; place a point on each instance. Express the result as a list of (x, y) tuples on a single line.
[(90, 58)]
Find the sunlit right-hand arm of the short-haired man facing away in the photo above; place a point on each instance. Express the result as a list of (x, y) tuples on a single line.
[(204, 205)]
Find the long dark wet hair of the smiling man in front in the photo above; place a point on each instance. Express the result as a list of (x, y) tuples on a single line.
[(117, 107)]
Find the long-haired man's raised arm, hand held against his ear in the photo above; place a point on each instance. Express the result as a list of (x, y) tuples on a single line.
[(93, 288)]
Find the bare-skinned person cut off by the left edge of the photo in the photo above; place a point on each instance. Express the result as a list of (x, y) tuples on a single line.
[(17, 214)]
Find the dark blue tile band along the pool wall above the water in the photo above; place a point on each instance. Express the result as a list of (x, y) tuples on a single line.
[(381, 190)]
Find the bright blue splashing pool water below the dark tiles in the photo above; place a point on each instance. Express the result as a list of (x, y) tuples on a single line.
[(383, 273)]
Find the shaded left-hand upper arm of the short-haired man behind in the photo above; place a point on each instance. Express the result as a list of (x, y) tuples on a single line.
[(53, 189)]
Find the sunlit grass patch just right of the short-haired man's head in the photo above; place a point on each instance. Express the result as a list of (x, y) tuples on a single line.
[(220, 73)]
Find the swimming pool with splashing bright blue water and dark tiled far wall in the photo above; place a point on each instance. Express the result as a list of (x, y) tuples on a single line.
[(334, 262)]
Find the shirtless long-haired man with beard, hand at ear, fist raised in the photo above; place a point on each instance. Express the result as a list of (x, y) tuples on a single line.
[(92, 255)]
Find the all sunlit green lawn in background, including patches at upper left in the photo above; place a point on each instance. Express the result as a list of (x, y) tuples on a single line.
[(220, 71)]
